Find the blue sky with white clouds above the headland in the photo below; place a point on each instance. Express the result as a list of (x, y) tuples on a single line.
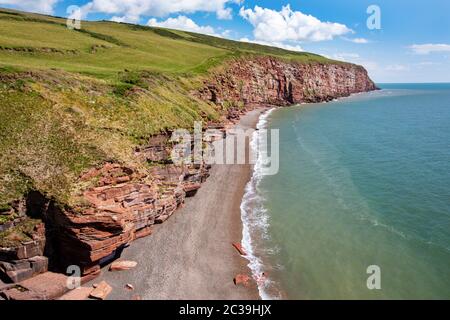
[(396, 40)]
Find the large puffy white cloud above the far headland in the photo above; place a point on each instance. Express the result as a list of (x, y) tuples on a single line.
[(288, 25)]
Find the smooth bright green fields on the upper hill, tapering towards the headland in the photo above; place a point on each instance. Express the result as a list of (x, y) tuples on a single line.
[(126, 47)]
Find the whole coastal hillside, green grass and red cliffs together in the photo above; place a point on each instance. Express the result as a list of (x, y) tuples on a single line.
[(85, 118)]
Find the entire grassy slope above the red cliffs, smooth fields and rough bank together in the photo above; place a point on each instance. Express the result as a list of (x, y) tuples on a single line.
[(75, 110)]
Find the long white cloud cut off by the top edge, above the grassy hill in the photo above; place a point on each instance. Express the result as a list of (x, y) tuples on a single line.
[(132, 10)]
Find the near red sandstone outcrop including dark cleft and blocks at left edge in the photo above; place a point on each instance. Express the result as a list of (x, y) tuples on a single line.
[(119, 206)]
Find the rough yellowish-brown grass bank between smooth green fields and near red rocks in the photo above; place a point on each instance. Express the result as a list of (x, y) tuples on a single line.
[(54, 127)]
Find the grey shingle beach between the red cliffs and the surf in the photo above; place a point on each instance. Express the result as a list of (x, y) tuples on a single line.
[(190, 256)]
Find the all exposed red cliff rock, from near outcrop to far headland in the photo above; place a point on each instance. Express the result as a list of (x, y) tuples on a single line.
[(119, 203)]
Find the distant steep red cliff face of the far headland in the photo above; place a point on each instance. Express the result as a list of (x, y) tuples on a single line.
[(266, 80)]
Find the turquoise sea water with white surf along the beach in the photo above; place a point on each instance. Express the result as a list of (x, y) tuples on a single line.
[(363, 181)]
